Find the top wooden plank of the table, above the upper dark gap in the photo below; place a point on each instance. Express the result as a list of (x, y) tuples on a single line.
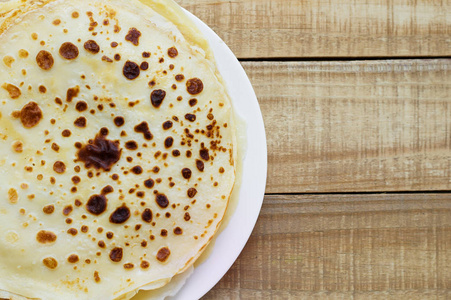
[(335, 28)]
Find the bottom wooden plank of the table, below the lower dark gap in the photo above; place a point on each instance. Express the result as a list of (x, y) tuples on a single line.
[(372, 246)]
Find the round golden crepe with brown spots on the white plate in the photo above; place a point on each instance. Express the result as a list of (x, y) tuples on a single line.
[(117, 147)]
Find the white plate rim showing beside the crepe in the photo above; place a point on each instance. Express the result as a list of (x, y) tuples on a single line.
[(232, 239)]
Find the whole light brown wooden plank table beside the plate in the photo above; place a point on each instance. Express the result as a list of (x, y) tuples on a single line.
[(356, 98)]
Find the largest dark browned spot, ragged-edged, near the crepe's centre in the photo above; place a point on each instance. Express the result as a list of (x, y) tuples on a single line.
[(100, 153)]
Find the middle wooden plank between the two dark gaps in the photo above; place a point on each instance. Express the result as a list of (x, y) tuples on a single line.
[(356, 126)]
